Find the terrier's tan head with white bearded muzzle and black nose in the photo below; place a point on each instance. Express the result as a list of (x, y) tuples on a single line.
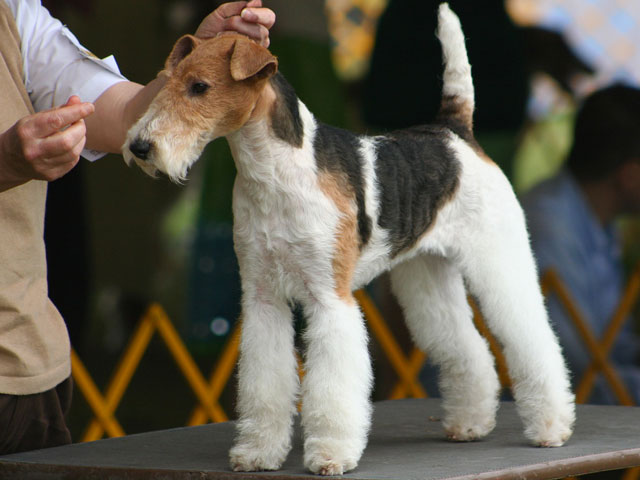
[(212, 89)]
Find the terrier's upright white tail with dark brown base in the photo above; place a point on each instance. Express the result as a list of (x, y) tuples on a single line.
[(457, 90)]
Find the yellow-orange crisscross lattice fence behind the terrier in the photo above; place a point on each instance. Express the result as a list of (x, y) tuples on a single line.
[(406, 366)]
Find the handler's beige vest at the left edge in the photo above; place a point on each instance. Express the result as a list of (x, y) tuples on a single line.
[(34, 344)]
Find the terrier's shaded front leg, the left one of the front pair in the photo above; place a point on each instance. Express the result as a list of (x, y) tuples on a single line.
[(268, 385)]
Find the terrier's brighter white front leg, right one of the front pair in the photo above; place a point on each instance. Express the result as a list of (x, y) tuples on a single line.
[(336, 409)]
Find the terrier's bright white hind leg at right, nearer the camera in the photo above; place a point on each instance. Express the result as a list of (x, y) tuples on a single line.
[(496, 260)]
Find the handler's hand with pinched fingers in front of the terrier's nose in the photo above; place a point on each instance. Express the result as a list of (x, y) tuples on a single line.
[(45, 145)]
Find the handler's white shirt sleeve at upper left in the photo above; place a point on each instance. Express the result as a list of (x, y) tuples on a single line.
[(56, 66)]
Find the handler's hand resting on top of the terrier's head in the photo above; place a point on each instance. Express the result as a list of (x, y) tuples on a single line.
[(249, 18)]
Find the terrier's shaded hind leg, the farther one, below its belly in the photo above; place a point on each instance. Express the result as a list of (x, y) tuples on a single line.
[(431, 291)]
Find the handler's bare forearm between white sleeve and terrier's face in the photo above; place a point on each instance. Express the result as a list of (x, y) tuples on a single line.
[(116, 110)]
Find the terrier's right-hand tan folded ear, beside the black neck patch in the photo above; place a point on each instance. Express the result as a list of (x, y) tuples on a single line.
[(250, 60)]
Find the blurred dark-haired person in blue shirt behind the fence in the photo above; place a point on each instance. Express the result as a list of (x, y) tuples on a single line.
[(572, 223)]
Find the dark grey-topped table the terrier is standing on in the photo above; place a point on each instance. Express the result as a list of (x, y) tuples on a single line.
[(406, 442)]
